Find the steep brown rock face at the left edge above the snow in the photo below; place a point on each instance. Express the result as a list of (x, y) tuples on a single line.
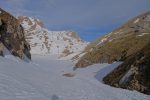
[(12, 36)]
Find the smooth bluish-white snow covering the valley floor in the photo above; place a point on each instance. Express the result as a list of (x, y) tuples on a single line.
[(43, 79)]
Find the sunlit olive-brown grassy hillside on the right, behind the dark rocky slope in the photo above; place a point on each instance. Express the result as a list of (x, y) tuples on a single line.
[(119, 44)]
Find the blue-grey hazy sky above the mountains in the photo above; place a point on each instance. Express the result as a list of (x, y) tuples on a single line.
[(90, 18)]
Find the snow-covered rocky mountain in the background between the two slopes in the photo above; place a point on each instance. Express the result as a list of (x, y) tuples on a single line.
[(43, 41)]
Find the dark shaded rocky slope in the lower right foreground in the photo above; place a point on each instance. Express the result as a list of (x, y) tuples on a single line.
[(134, 73)]
